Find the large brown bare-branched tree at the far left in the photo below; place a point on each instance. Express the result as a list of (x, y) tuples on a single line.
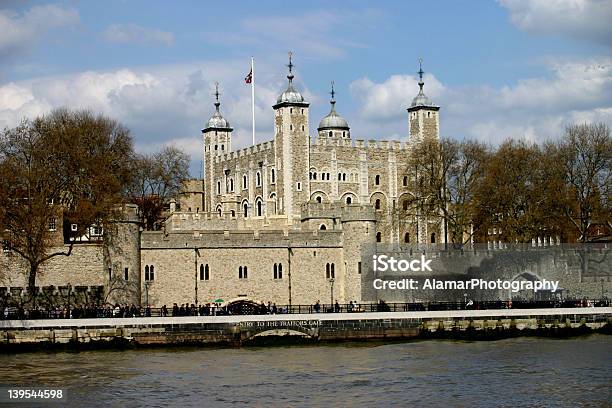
[(66, 165)]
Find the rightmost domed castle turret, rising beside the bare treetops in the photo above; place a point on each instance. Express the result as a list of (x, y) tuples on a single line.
[(423, 114)]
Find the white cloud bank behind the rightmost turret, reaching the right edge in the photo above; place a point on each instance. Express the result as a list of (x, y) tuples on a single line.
[(534, 109)]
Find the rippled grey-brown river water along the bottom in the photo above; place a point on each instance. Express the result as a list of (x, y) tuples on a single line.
[(511, 373)]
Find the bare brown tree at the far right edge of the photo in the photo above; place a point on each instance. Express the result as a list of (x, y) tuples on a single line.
[(585, 154)]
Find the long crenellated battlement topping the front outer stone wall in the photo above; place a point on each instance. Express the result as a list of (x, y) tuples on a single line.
[(241, 239)]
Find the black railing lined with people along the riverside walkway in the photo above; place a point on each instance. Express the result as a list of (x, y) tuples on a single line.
[(16, 313)]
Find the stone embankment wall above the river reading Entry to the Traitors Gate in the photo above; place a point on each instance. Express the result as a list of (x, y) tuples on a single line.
[(239, 330)]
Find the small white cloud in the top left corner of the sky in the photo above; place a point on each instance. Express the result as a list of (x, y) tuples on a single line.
[(22, 30)]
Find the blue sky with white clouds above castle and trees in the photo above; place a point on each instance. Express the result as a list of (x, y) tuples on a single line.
[(521, 69)]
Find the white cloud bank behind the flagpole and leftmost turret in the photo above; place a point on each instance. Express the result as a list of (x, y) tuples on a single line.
[(160, 105)]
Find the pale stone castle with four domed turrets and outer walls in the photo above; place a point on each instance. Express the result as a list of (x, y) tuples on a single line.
[(283, 221)]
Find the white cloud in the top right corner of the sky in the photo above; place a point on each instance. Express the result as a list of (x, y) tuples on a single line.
[(582, 19)]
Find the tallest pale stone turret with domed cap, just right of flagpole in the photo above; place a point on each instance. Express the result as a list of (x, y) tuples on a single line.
[(292, 144)]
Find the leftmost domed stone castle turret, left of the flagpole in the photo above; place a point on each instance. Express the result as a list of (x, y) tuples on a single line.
[(217, 140)]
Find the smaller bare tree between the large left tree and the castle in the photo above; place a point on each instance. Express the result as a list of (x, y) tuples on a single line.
[(157, 178)]
